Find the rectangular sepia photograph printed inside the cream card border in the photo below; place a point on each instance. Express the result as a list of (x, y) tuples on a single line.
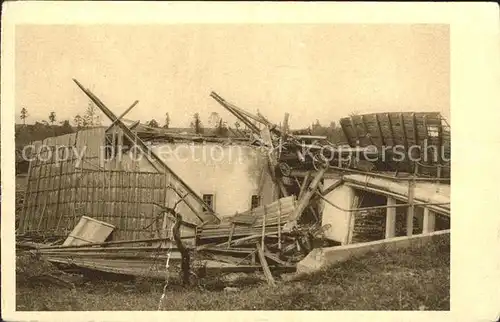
[(232, 166)]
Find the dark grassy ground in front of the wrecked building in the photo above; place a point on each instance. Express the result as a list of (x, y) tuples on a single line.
[(413, 279)]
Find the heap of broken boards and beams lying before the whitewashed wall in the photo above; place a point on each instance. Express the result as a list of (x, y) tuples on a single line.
[(246, 242)]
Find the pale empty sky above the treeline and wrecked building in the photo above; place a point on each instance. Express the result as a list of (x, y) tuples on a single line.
[(312, 71)]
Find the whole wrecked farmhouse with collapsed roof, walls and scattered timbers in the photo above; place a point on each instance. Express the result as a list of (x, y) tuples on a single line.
[(272, 201)]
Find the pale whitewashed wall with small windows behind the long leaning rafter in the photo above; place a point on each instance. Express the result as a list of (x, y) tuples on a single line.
[(233, 173)]
